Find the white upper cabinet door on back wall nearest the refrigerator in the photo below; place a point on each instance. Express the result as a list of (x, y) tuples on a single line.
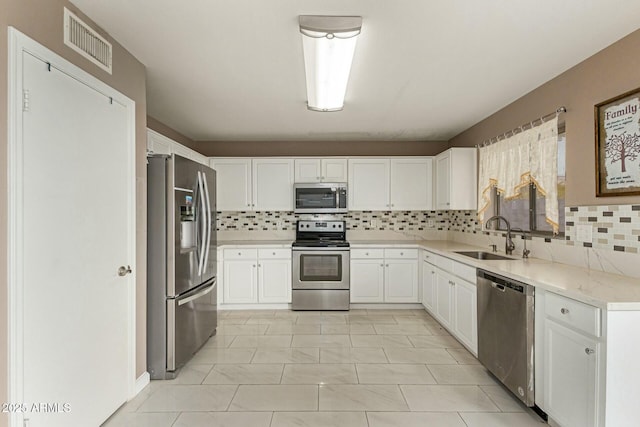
[(233, 184)]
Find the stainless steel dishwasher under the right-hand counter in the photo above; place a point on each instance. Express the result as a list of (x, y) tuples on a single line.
[(505, 332)]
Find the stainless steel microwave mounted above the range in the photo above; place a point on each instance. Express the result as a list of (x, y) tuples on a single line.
[(321, 197)]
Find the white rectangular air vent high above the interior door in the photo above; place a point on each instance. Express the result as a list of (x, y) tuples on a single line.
[(86, 41)]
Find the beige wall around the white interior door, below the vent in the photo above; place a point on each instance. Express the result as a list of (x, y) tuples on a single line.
[(42, 21)]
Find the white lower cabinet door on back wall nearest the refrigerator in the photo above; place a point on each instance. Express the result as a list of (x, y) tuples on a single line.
[(240, 281)]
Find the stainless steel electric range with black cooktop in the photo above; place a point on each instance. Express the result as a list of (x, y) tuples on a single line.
[(320, 266)]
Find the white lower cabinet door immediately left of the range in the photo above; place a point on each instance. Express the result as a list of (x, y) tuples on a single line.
[(274, 281)]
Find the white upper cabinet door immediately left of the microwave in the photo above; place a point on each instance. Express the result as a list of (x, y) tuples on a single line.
[(273, 184)]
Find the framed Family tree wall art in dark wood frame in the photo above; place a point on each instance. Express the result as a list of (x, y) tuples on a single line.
[(618, 145)]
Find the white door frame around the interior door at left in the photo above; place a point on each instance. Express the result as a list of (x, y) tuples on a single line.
[(19, 43)]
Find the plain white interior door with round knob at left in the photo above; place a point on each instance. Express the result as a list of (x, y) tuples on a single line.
[(76, 231)]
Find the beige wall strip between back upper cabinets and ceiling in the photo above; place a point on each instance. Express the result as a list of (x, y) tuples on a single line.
[(316, 148)]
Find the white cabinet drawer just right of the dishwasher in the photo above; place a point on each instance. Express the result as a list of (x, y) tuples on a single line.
[(583, 317)]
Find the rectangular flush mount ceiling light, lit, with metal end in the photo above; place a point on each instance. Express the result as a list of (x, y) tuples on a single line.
[(329, 43)]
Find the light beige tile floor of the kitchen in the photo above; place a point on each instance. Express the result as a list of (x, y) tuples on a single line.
[(362, 368)]
